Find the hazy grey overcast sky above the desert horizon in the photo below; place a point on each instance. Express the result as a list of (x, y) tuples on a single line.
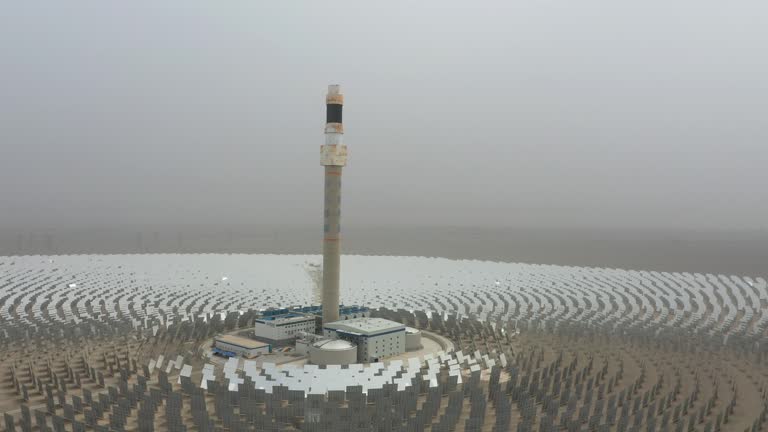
[(517, 113)]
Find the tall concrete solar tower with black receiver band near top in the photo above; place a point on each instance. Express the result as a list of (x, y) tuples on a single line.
[(333, 156)]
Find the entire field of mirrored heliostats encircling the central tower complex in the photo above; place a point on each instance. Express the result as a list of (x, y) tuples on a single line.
[(99, 342)]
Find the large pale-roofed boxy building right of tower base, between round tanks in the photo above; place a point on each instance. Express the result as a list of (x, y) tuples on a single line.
[(376, 338)]
